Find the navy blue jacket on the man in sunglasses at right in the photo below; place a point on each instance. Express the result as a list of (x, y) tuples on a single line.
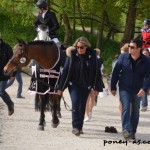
[(129, 79)]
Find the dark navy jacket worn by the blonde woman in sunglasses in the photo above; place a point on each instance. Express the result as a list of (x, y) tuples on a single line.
[(83, 71)]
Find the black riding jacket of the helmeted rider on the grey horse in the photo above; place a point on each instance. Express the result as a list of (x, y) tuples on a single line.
[(49, 20)]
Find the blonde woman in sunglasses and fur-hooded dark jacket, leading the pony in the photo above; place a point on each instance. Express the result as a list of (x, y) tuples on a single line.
[(81, 73)]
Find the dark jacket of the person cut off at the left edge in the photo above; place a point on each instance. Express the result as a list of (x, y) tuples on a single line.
[(5, 54)]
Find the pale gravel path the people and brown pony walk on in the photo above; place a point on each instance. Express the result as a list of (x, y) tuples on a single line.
[(19, 131)]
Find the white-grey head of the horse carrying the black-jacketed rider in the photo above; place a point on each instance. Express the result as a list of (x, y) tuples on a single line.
[(43, 33)]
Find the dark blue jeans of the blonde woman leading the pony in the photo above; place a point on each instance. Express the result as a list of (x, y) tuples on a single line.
[(79, 97)]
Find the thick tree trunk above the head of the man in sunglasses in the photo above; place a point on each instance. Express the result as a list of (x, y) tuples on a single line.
[(130, 22)]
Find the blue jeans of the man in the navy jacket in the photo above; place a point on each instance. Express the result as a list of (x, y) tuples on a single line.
[(130, 119)]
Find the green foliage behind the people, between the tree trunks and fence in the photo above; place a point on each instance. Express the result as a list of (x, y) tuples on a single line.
[(17, 17)]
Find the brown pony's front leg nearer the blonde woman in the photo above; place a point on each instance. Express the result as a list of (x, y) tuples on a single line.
[(53, 100)]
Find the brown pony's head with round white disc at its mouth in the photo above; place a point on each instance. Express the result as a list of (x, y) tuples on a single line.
[(18, 60)]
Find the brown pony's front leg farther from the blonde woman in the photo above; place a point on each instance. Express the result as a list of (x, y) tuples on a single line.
[(42, 115)]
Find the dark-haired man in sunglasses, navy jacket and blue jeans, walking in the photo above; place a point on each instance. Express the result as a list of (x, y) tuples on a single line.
[(133, 73)]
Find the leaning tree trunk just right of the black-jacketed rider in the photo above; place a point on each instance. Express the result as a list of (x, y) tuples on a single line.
[(68, 31)]
